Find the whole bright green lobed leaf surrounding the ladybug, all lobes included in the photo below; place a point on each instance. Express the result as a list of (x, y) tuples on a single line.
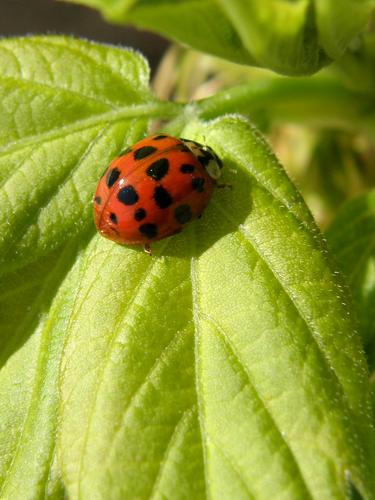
[(223, 366)]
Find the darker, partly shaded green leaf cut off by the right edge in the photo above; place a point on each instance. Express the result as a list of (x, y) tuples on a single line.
[(351, 238)]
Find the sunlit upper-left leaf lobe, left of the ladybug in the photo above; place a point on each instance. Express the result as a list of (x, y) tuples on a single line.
[(59, 129)]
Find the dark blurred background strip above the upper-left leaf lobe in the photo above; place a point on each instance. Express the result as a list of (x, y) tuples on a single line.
[(30, 17)]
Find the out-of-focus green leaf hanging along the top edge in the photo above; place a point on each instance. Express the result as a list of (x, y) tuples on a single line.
[(296, 37)]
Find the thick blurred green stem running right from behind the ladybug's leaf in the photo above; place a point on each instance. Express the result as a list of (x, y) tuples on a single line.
[(319, 101)]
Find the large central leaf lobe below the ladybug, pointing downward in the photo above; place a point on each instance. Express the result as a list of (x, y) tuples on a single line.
[(176, 373)]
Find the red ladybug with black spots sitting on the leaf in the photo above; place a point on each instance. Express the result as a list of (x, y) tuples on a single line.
[(153, 189)]
